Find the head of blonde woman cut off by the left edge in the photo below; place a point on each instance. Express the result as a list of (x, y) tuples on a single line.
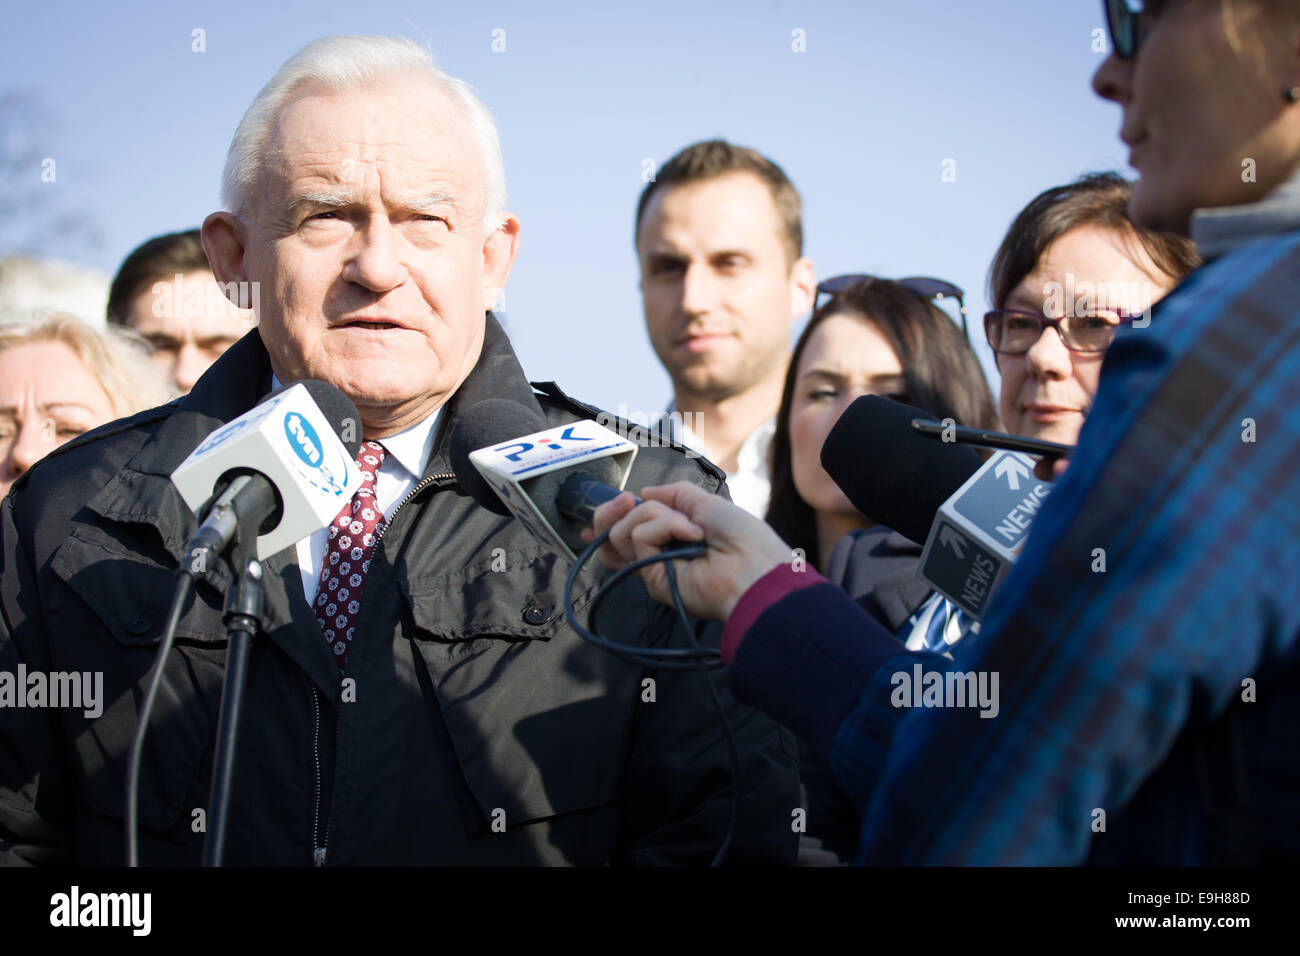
[(60, 378)]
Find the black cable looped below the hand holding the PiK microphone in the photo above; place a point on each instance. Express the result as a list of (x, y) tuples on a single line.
[(694, 659)]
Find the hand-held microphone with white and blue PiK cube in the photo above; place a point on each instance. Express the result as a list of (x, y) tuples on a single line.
[(551, 478)]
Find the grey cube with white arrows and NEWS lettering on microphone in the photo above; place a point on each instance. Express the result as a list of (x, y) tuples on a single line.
[(981, 531)]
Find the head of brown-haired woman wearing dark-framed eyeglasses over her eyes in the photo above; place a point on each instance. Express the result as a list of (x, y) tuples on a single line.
[(1072, 271)]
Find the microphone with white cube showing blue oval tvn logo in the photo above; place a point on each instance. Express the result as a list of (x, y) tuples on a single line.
[(279, 473)]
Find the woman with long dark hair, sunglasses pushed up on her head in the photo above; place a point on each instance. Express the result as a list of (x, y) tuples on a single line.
[(881, 338)]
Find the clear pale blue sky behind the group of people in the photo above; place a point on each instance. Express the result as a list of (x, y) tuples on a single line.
[(863, 123)]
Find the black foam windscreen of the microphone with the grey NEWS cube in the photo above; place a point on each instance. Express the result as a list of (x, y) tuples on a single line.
[(891, 473)]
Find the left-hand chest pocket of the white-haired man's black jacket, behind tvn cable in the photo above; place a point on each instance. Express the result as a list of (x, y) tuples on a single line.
[(110, 621)]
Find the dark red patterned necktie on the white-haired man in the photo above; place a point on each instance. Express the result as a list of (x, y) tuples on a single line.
[(353, 537)]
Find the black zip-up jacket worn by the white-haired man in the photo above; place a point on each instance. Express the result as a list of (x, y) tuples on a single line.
[(482, 729)]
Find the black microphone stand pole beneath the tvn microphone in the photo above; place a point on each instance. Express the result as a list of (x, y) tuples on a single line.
[(244, 620)]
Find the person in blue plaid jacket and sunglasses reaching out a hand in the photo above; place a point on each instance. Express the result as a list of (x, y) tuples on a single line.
[(1147, 642)]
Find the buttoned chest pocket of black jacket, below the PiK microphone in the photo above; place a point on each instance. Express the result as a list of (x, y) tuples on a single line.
[(539, 719)]
